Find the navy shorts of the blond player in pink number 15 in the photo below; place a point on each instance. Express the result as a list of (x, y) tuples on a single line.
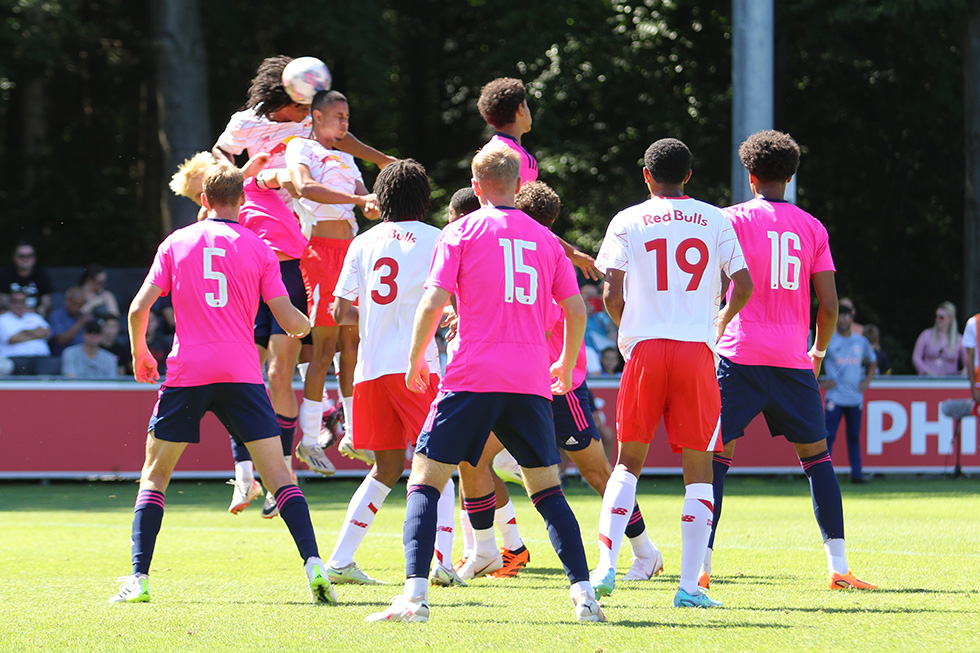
[(459, 423)]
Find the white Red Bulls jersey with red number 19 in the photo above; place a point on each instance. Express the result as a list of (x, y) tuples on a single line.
[(673, 251)]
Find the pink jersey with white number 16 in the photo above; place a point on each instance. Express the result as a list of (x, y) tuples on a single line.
[(784, 246)]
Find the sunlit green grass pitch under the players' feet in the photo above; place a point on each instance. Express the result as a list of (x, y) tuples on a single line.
[(223, 582)]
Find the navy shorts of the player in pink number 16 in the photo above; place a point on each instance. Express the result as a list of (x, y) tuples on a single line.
[(788, 398)]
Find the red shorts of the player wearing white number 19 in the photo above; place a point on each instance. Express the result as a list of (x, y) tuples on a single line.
[(674, 380)]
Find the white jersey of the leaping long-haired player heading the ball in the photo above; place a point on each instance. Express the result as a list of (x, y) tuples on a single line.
[(247, 130)]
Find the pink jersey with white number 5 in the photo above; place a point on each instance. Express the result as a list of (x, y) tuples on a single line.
[(215, 270)]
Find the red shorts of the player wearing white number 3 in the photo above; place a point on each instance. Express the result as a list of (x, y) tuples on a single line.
[(387, 415)]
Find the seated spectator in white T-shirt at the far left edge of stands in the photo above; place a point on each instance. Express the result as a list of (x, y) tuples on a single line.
[(24, 338)]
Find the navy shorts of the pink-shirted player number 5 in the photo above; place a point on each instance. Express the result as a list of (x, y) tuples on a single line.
[(244, 408)]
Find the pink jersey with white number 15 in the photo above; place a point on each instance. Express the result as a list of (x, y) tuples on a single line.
[(504, 269)]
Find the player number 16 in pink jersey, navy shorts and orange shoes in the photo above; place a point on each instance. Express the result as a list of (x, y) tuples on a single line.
[(765, 367)]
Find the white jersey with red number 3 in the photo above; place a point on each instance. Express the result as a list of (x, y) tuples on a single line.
[(385, 271)]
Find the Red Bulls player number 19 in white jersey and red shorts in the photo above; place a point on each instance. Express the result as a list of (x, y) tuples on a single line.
[(664, 261)]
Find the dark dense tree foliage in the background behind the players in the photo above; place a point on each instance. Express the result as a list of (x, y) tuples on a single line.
[(872, 92)]
